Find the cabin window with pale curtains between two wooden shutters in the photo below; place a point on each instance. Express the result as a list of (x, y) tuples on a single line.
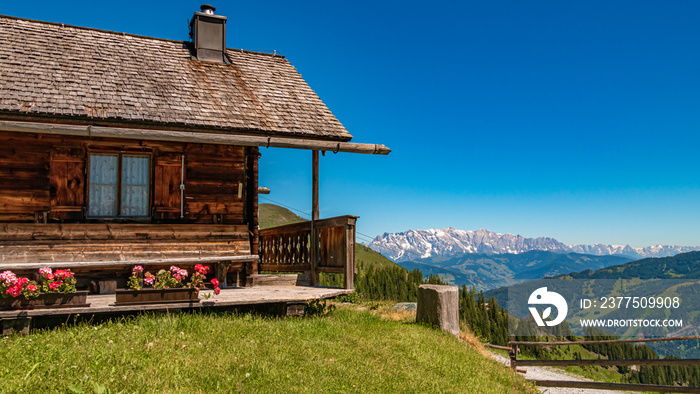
[(118, 185)]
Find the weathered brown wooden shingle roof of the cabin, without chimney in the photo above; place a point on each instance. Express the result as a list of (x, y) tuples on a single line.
[(89, 75)]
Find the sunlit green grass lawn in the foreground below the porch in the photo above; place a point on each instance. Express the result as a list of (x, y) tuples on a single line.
[(347, 351)]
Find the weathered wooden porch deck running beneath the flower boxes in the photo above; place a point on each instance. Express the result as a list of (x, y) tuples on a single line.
[(228, 298)]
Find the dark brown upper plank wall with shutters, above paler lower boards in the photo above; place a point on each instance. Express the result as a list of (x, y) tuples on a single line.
[(41, 173)]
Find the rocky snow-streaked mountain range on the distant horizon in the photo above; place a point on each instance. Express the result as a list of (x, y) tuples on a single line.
[(418, 244)]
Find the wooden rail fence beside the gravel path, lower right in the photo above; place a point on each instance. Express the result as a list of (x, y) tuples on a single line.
[(515, 363)]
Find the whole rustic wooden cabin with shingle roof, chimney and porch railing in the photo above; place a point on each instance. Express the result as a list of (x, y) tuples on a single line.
[(118, 149)]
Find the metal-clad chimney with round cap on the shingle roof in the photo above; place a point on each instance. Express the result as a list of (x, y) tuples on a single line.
[(208, 33)]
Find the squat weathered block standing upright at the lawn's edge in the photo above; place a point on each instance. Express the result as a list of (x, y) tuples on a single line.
[(439, 306)]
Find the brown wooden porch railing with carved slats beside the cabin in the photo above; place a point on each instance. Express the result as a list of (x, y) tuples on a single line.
[(288, 248)]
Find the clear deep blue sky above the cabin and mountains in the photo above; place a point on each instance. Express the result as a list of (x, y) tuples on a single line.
[(577, 121)]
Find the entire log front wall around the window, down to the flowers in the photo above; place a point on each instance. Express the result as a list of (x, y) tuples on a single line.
[(44, 196)]
